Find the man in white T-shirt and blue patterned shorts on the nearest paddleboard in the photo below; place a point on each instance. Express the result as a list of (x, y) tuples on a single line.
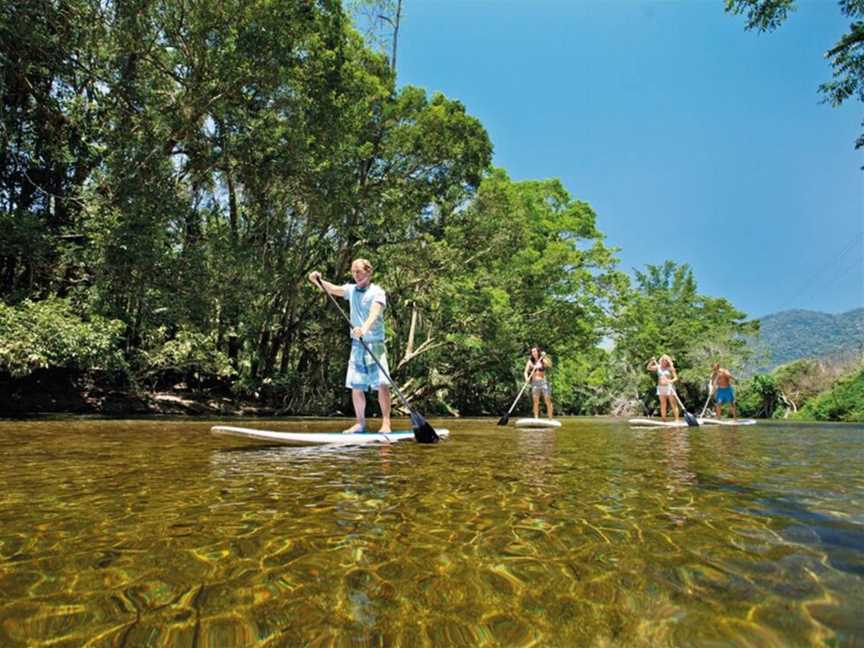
[(367, 301)]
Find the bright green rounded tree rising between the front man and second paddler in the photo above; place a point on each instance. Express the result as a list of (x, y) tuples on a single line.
[(521, 263)]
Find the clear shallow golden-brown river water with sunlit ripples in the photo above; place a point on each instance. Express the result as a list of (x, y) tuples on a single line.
[(156, 533)]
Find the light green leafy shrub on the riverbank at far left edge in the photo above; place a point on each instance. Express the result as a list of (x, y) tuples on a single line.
[(46, 334)]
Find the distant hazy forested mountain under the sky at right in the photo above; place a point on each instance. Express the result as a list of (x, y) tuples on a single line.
[(790, 335)]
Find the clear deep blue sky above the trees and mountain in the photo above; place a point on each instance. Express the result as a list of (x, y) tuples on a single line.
[(692, 139)]
